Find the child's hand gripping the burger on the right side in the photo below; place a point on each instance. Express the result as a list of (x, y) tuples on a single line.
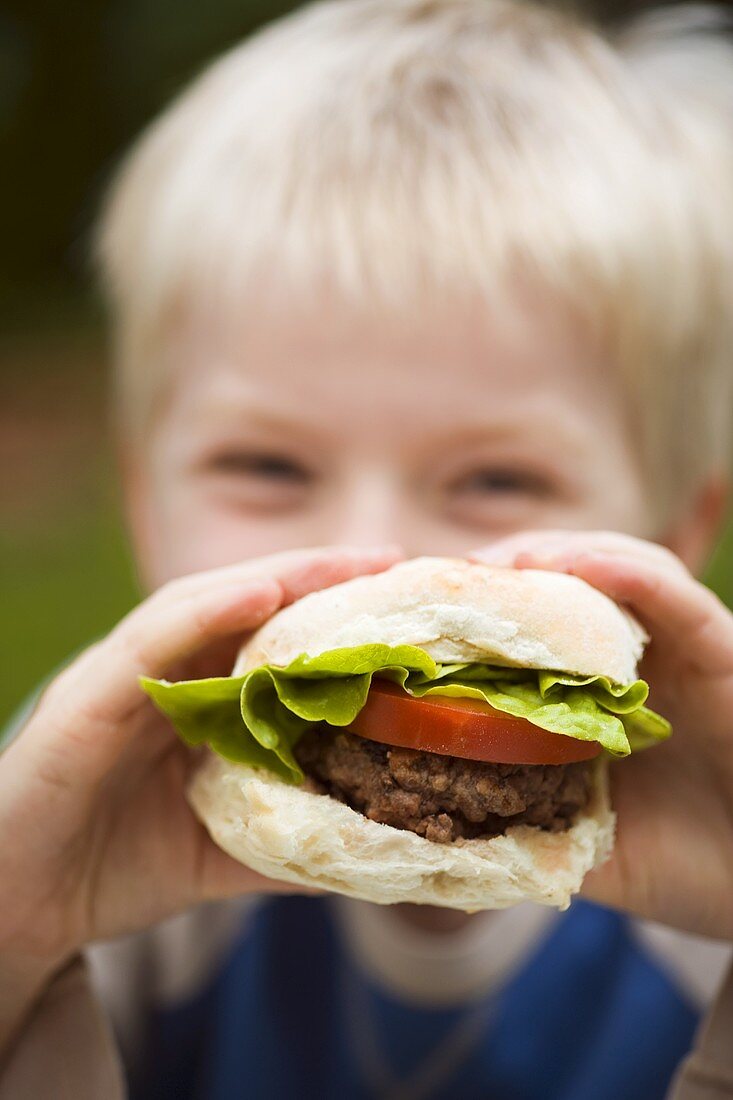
[(674, 855)]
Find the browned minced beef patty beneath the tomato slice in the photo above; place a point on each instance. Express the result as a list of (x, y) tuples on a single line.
[(441, 798)]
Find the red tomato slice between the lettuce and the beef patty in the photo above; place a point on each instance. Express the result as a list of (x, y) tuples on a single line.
[(462, 728)]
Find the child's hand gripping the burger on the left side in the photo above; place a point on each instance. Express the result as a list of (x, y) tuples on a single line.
[(97, 837)]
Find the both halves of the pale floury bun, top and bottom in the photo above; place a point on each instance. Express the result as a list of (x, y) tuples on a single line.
[(456, 611)]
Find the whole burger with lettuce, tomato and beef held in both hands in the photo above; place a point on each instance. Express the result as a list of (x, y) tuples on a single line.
[(436, 734)]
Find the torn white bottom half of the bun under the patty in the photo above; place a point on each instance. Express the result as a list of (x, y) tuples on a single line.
[(311, 840)]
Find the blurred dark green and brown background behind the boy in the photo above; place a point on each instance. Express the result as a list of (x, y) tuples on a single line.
[(78, 82)]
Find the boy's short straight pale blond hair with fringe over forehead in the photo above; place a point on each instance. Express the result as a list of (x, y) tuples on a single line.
[(398, 148)]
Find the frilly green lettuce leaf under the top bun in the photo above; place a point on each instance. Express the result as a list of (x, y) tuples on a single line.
[(258, 718)]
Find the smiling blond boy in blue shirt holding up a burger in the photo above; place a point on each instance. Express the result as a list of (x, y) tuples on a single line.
[(428, 272)]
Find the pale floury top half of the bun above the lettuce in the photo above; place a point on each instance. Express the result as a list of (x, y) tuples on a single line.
[(458, 611)]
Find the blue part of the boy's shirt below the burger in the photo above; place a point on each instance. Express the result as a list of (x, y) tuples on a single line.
[(588, 1017)]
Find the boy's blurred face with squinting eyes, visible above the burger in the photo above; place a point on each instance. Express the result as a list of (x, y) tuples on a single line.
[(443, 433)]
